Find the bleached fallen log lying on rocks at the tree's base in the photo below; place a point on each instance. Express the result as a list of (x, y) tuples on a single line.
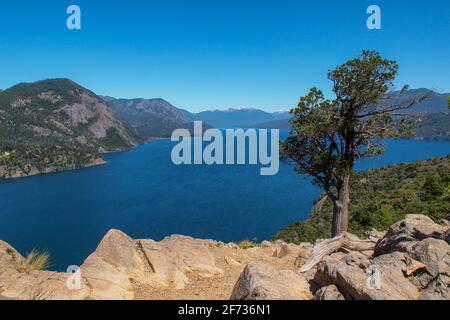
[(343, 241)]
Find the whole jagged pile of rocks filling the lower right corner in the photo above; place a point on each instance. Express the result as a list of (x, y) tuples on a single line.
[(410, 262)]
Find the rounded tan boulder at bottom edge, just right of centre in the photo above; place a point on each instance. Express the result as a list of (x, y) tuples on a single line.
[(259, 281)]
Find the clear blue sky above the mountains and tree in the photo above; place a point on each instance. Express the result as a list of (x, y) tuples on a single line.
[(218, 54)]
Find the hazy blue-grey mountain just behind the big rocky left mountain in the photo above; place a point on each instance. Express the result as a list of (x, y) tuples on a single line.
[(151, 117)]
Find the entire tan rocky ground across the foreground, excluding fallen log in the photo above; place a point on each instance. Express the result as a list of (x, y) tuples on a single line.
[(411, 261)]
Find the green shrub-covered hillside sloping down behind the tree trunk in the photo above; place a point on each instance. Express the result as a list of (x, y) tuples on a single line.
[(382, 197)]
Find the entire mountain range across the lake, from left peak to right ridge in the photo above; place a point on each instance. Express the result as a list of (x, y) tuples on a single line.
[(55, 125)]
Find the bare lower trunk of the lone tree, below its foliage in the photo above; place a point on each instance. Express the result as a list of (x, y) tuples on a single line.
[(341, 207)]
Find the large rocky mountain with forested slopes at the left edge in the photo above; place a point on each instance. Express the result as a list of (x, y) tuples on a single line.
[(54, 125)]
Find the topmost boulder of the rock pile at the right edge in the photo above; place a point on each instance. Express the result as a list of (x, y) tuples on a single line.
[(412, 229)]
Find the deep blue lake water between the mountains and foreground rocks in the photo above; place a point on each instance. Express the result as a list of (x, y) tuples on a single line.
[(142, 193)]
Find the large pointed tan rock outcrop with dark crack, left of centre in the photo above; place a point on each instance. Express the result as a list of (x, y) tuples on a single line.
[(120, 261)]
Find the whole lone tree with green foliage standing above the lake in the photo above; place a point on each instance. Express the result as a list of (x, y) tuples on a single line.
[(327, 137)]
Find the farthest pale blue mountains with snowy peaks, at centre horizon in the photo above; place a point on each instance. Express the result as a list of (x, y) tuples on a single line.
[(244, 117)]
